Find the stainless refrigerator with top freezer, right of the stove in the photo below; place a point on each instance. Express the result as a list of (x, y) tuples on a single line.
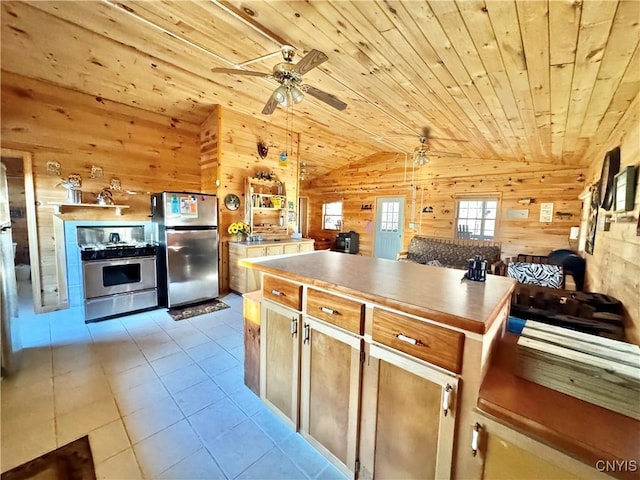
[(186, 230)]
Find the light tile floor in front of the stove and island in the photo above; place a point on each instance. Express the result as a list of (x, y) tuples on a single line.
[(159, 399)]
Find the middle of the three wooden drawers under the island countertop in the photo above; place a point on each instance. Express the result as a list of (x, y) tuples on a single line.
[(342, 312)]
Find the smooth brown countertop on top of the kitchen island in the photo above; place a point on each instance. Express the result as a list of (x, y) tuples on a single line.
[(436, 293)]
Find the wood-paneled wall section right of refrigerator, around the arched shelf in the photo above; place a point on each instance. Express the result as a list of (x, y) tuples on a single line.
[(237, 136)]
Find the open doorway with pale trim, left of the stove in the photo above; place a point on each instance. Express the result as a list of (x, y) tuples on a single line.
[(23, 225)]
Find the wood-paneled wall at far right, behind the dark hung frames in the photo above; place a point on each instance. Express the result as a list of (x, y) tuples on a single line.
[(614, 267)]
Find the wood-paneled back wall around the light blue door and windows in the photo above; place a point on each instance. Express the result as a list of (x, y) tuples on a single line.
[(438, 184)]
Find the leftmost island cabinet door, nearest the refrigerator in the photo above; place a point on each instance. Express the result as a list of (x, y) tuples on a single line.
[(280, 360)]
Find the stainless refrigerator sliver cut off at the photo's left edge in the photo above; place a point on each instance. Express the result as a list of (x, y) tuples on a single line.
[(9, 330)]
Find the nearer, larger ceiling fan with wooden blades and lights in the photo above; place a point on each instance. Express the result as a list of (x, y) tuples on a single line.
[(289, 76)]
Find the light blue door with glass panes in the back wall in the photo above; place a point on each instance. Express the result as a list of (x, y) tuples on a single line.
[(389, 227)]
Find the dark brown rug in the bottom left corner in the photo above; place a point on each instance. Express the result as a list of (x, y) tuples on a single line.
[(72, 461)]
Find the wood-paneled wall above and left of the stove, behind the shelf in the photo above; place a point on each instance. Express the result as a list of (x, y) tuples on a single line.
[(146, 151)]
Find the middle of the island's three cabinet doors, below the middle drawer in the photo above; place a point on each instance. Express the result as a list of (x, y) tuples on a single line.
[(330, 392)]
